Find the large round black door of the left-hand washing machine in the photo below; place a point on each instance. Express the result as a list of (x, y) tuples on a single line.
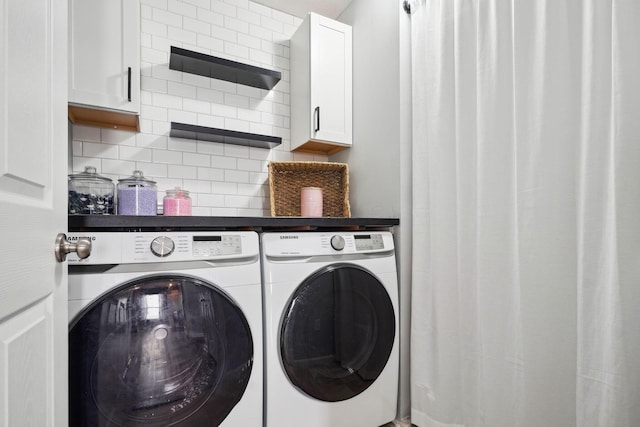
[(159, 351)]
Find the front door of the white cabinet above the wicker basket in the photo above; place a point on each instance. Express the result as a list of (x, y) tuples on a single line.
[(331, 83)]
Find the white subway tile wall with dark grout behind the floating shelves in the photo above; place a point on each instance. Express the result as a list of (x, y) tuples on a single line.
[(224, 180)]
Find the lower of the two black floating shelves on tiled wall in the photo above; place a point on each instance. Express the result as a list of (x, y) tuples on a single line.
[(202, 133)]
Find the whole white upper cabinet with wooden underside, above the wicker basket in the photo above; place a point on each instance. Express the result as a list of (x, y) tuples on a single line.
[(321, 86)]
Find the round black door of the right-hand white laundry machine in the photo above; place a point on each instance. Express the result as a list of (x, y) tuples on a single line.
[(337, 332)]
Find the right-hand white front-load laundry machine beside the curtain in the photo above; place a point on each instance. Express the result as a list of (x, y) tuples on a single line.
[(331, 329)]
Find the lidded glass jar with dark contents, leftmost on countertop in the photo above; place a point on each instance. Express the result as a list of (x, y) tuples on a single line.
[(90, 193)]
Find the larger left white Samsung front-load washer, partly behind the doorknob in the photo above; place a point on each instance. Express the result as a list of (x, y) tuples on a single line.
[(166, 329)]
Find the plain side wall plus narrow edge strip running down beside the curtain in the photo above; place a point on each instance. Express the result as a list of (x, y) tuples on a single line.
[(380, 159)]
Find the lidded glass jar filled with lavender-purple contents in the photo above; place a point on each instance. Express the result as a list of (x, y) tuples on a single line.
[(137, 195)]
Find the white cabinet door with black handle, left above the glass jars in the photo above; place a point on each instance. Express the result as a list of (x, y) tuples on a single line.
[(104, 54)]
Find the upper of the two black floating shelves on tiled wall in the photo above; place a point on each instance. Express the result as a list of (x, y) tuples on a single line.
[(192, 62)]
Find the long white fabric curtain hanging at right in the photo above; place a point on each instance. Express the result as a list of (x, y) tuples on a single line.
[(526, 213)]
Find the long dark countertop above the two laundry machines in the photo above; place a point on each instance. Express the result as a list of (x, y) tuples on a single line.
[(204, 223)]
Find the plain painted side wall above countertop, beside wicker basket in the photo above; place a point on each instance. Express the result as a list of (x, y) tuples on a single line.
[(374, 157)]
